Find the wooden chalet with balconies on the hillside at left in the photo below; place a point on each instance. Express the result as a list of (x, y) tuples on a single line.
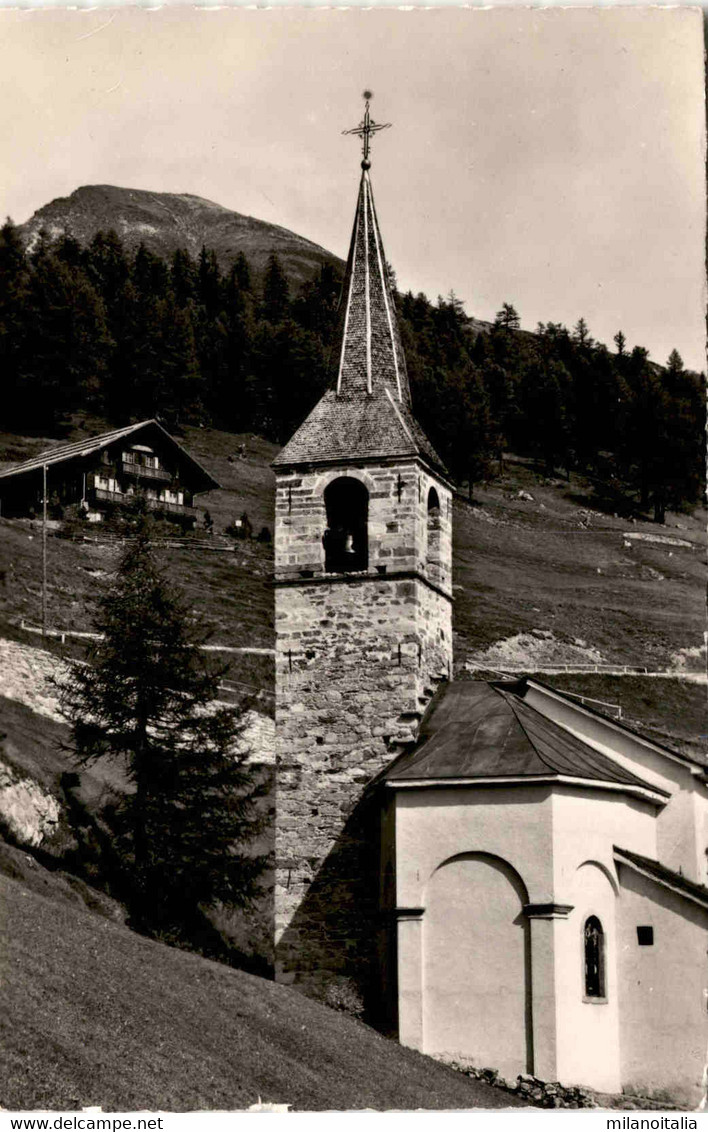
[(105, 471)]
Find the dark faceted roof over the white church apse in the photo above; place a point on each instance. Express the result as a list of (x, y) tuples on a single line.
[(475, 731)]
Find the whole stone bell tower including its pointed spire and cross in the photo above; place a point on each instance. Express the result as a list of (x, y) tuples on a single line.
[(363, 621)]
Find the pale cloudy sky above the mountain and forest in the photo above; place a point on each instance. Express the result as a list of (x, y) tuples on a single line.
[(548, 158)]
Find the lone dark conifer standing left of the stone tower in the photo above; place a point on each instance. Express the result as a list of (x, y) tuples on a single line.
[(147, 700)]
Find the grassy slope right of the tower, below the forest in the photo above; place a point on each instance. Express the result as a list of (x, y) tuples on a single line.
[(556, 564)]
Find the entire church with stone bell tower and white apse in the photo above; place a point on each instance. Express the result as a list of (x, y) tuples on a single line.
[(504, 877)]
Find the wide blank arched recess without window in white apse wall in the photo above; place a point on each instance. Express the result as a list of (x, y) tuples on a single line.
[(477, 964)]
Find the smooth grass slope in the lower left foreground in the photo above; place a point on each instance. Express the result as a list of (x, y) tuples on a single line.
[(92, 1014)]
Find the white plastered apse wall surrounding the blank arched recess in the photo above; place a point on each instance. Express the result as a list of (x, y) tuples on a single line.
[(559, 842)]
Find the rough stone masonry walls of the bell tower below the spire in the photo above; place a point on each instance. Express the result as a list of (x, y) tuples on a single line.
[(357, 661)]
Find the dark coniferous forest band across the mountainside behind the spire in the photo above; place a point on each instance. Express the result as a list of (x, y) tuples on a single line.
[(130, 337)]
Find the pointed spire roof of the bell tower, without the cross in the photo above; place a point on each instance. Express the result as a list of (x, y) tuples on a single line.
[(366, 414)]
